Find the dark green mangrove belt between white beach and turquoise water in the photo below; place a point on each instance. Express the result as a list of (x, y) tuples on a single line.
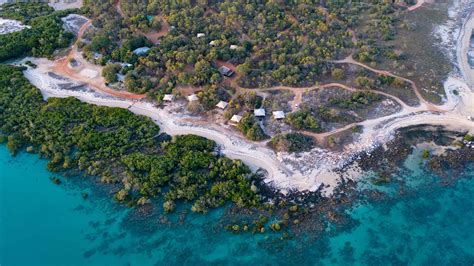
[(120, 148)]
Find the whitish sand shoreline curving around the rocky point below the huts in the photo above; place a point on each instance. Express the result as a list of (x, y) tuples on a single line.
[(307, 171)]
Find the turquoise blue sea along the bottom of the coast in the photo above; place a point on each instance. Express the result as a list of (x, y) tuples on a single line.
[(46, 224)]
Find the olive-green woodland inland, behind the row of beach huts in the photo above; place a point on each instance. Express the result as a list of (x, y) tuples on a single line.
[(274, 42)]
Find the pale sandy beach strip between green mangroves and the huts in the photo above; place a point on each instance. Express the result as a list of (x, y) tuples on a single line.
[(279, 175)]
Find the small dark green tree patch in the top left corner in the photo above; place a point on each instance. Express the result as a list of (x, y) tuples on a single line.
[(42, 39)]
